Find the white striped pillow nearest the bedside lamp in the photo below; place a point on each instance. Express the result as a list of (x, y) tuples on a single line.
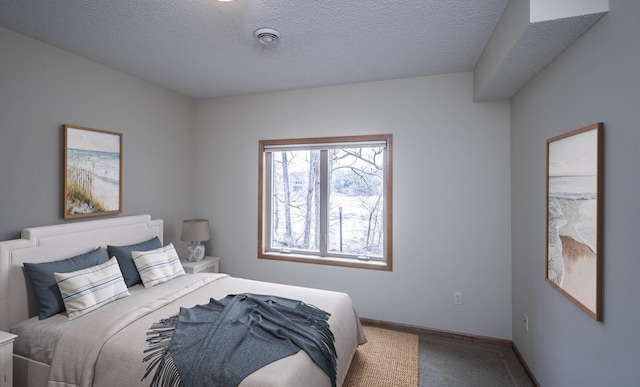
[(157, 266)]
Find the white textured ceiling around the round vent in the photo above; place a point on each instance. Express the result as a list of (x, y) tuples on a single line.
[(206, 48)]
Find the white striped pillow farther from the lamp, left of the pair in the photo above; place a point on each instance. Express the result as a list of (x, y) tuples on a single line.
[(88, 289)]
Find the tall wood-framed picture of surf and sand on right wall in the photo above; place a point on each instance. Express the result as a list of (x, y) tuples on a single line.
[(574, 217)]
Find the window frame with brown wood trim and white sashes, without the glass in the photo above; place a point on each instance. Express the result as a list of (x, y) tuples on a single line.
[(266, 147)]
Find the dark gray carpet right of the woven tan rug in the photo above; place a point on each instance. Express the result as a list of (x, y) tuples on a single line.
[(457, 362)]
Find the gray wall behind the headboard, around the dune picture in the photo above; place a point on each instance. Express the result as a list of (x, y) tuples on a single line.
[(41, 89)]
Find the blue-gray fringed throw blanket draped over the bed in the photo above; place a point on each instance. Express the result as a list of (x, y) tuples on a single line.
[(220, 343)]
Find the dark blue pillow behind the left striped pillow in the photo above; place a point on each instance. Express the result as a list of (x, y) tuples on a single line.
[(43, 282)]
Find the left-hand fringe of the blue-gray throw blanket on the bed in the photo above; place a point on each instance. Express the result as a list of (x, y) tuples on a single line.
[(159, 337)]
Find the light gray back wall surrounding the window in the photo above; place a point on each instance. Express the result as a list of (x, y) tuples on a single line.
[(451, 195)]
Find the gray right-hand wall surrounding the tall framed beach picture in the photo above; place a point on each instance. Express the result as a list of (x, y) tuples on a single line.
[(595, 80)]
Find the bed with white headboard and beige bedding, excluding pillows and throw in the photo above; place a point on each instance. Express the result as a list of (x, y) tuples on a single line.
[(86, 351)]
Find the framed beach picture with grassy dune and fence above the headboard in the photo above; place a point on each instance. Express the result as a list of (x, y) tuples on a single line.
[(92, 172)]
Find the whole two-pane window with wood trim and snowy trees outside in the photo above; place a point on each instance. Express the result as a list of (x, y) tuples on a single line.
[(326, 200)]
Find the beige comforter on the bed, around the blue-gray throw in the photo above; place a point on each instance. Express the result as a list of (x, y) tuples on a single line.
[(106, 349)]
